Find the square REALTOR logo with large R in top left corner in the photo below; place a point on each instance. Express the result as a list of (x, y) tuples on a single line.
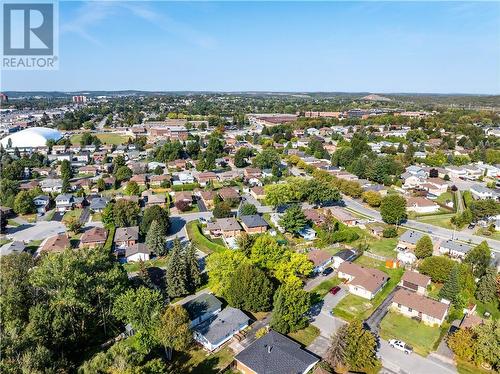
[(29, 35)]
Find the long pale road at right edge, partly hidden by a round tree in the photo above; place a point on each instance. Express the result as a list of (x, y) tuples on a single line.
[(436, 231)]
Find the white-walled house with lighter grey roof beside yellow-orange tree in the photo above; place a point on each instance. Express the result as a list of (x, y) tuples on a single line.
[(220, 328)]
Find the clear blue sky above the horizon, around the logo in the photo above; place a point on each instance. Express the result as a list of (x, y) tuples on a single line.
[(444, 47)]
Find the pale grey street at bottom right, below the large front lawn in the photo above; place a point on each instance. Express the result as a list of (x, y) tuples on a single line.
[(398, 362)]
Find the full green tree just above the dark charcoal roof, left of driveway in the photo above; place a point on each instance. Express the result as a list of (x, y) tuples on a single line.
[(291, 303)]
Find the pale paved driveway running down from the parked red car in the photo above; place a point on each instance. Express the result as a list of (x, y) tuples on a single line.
[(326, 323)]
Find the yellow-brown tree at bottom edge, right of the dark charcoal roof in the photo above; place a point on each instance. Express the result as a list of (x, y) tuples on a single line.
[(353, 349)]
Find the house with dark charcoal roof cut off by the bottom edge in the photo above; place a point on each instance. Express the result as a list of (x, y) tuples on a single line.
[(275, 353)]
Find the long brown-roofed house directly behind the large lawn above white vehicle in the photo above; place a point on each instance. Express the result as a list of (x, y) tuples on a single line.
[(413, 305)]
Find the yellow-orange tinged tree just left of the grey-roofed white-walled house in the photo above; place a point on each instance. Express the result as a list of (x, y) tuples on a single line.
[(173, 331)]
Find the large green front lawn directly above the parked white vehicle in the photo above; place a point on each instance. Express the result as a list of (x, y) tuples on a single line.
[(421, 337)]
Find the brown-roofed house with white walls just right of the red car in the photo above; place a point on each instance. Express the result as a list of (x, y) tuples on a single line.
[(362, 281)]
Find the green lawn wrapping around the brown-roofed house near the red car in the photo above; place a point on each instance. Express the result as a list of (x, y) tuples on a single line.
[(354, 307)]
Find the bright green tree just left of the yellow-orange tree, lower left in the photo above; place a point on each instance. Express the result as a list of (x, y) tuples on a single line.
[(141, 308)]
